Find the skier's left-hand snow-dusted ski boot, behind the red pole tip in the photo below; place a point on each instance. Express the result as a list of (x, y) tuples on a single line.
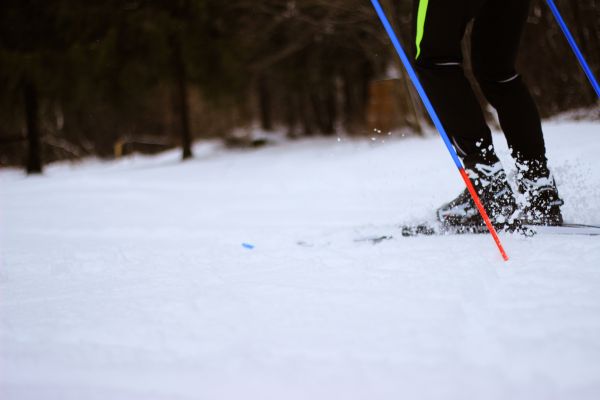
[(495, 194)]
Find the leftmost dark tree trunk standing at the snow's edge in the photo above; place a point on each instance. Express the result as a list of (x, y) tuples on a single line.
[(34, 159)]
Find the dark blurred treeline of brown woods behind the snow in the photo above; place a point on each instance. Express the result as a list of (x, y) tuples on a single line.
[(93, 77)]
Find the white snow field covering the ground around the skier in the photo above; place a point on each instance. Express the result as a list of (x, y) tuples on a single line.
[(128, 280)]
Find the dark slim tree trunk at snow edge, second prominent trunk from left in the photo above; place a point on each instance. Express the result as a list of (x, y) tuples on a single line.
[(181, 96)]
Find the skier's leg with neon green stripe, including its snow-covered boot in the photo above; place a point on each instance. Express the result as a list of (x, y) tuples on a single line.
[(439, 29)]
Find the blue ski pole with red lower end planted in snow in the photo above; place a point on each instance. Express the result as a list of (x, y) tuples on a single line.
[(438, 124)]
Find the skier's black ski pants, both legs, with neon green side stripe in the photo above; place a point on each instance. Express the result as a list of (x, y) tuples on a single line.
[(498, 25)]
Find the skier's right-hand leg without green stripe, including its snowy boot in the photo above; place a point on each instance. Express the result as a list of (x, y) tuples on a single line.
[(496, 36)]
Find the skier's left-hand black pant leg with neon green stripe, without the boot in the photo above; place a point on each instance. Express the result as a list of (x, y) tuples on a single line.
[(439, 29)]
